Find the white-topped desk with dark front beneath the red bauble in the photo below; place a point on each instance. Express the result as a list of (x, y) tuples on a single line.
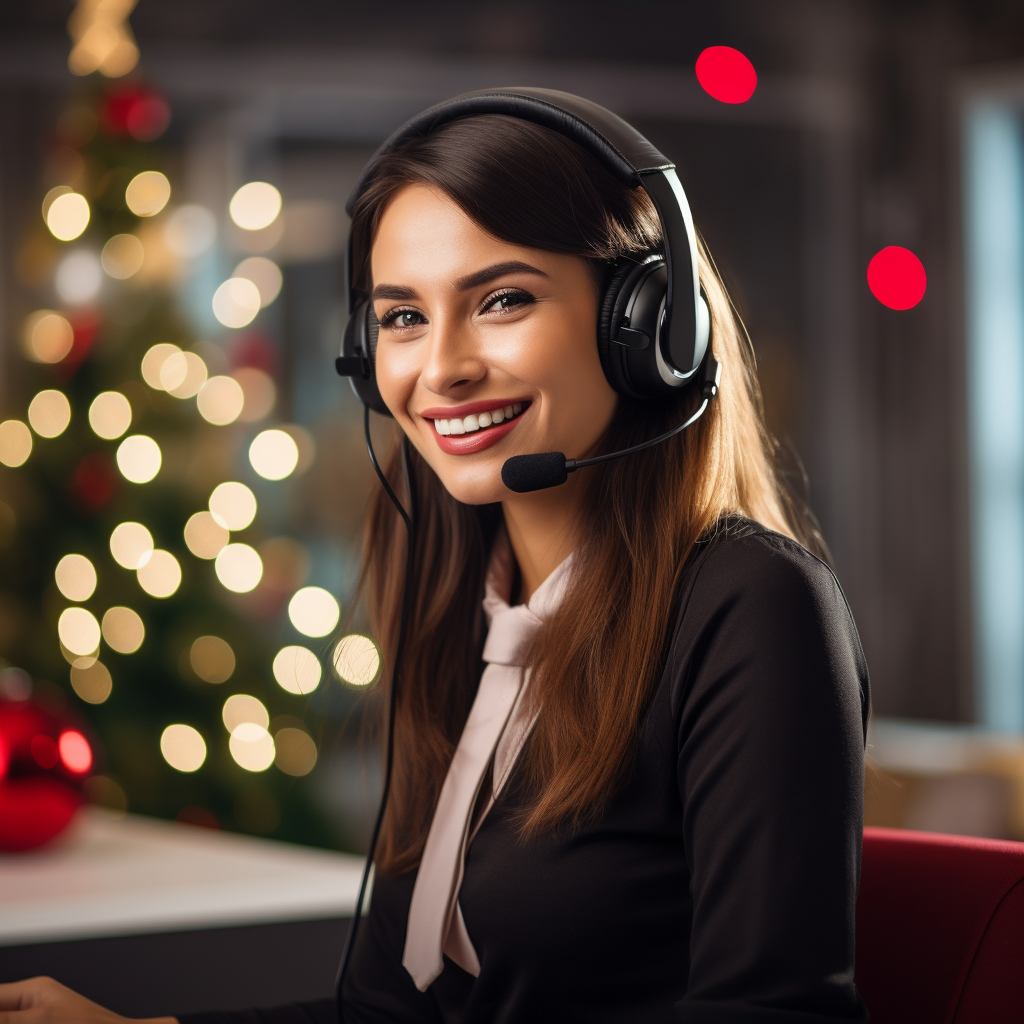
[(153, 918)]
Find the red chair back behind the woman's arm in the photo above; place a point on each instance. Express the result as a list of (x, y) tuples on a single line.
[(941, 929)]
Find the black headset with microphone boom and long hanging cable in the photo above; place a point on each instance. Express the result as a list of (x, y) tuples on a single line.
[(654, 324)]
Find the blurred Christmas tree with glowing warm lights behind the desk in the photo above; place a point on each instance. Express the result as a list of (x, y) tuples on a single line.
[(145, 573)]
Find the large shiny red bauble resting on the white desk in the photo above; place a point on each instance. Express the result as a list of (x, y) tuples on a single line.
[(45, 760)]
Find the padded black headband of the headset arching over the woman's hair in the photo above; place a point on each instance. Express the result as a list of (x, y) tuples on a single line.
[(620, 148)]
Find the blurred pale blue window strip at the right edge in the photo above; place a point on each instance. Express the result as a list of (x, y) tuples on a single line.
[(995, 278)]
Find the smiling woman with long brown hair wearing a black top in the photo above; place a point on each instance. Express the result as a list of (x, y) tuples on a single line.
[(668, 826)]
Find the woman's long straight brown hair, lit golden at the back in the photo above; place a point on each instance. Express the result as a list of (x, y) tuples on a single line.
[(595, 662)]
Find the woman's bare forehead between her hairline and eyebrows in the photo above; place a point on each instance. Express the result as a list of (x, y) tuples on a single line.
[(424, 236)]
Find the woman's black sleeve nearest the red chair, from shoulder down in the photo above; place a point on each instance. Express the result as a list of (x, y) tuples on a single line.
[(773, 710)]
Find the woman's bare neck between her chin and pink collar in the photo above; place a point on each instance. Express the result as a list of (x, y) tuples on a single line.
[(542, 531)]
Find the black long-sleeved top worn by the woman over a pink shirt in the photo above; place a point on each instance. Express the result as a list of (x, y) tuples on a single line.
[(719, 884)]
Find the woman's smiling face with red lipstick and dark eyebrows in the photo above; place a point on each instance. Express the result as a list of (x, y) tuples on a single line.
[(487, 350)]
